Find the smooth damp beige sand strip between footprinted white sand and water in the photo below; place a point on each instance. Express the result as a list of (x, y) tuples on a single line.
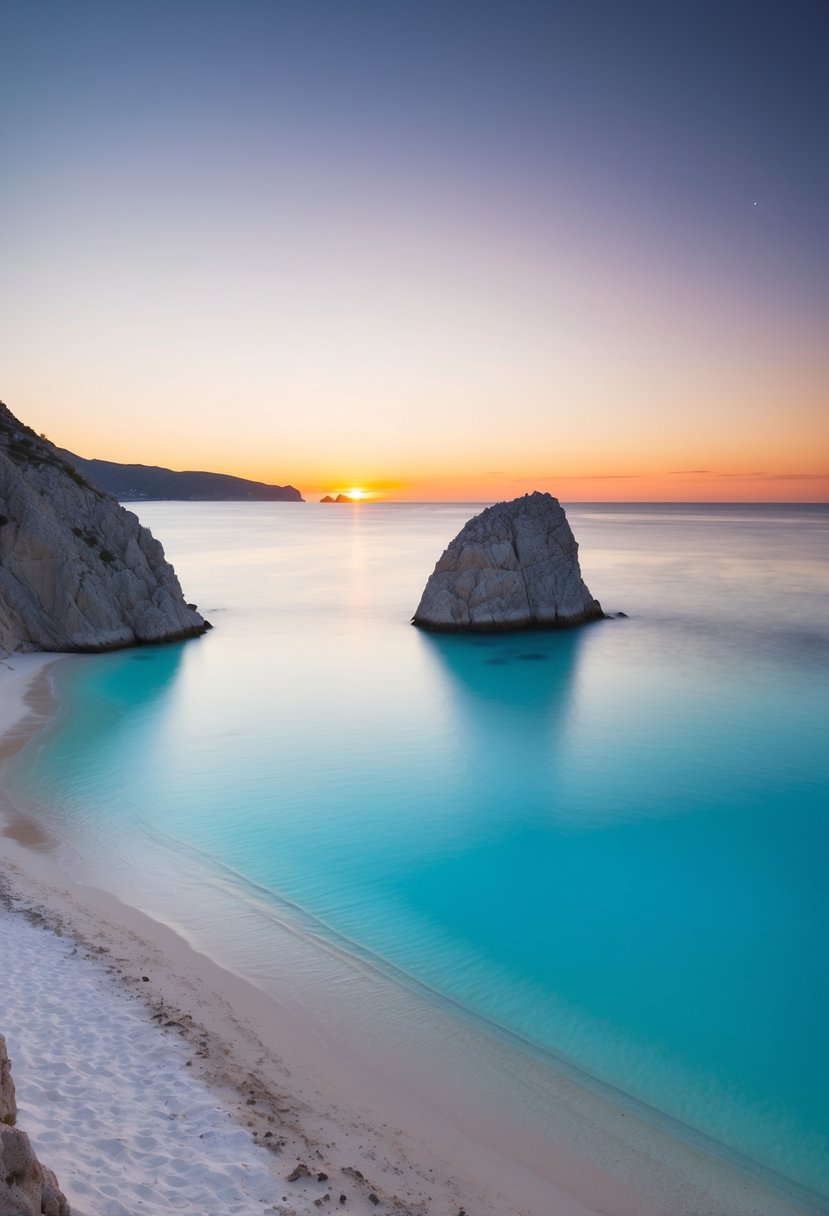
[(326, 1101)]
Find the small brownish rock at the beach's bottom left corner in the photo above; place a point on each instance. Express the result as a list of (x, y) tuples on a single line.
[(26, 1187)]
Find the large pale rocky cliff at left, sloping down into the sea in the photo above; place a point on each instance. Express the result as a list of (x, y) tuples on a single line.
[(77, 571)]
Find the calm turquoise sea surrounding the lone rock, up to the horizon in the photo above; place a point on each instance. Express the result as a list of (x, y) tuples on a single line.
[(611, 843)]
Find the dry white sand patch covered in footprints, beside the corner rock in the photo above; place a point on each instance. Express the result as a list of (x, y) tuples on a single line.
[(84, 1056)]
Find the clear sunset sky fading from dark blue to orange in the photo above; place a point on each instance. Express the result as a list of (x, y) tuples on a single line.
[(438, 251)]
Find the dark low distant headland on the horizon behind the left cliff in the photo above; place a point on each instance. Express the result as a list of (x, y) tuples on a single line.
[(140, 483)]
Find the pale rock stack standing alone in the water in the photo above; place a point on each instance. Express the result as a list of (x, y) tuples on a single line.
[(515, 566)]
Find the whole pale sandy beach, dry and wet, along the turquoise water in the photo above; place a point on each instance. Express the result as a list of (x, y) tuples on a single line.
[(153, 1079)]
